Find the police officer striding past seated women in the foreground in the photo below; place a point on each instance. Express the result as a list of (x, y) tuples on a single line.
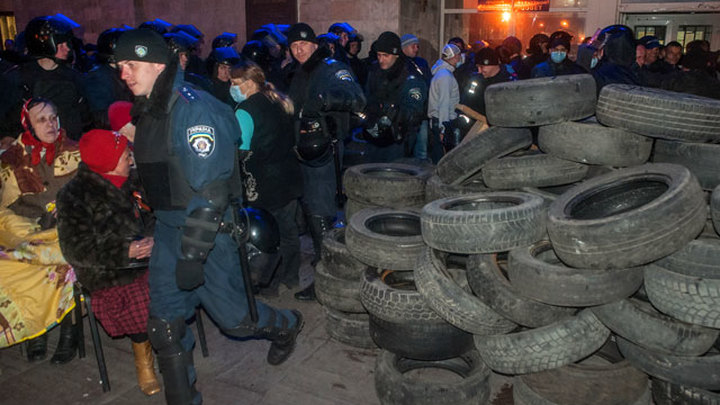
[(186, 155)]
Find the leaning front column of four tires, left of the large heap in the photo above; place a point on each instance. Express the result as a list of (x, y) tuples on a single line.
[(410, 333)]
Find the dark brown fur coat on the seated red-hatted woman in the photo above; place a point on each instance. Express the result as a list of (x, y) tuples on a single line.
[(96, 224)]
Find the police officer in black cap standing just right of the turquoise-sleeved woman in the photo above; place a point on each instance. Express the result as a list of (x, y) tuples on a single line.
[(322, 90)]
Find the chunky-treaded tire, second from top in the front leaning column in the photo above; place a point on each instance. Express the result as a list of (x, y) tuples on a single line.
[(392, 296)]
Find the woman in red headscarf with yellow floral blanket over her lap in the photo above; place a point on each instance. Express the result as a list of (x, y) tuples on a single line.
[(36, 280)]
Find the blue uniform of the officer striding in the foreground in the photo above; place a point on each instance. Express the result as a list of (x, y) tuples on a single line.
[(181, 158)]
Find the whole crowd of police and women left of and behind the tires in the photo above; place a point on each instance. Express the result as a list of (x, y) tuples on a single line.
[(129, 159)]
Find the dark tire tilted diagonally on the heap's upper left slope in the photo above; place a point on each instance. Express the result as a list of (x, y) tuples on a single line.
[(469, 157)]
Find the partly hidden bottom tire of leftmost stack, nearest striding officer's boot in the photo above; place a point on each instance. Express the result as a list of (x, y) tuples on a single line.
[(350, 329)]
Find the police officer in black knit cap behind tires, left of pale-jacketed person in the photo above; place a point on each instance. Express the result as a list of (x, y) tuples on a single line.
[(396, 103)]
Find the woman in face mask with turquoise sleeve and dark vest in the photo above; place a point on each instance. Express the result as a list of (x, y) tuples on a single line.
[(271, 171)]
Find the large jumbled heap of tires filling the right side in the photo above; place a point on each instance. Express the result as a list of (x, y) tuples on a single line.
[(561, 241)]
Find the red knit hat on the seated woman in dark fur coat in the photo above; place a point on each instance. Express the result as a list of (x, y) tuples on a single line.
[(101, 149)]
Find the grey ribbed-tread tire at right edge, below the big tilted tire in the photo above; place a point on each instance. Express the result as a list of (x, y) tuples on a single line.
[(688, 298)]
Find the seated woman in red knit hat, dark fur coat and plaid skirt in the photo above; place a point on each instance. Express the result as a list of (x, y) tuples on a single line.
[(103, 233)]
